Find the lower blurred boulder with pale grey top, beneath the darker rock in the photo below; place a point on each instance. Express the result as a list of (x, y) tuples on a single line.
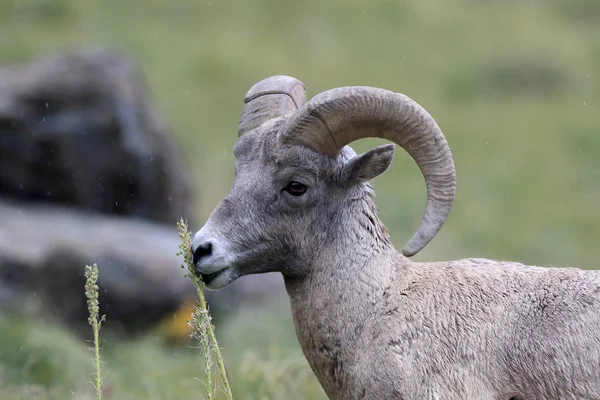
[(44, 249)]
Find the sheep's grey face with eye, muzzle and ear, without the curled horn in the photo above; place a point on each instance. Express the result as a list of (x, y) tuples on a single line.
[(284, 204)]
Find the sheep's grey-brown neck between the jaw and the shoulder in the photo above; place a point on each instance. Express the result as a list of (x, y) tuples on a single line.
[(341, 290)]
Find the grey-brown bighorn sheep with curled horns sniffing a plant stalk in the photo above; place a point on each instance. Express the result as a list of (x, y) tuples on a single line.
[(372, 323)]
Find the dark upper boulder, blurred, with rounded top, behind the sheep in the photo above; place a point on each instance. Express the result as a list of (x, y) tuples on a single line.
[(78, 128)]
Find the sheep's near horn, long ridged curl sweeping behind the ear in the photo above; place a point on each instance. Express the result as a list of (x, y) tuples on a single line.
[(340, 116)]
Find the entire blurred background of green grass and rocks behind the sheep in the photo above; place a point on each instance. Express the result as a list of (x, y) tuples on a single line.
[(118, 118)]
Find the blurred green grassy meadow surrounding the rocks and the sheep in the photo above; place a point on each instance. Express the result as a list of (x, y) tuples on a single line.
[(514, 85)]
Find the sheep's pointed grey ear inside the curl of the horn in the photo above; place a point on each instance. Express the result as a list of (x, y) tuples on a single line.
[(367, 166)]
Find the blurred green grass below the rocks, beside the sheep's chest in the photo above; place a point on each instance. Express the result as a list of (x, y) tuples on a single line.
[(38, 361)]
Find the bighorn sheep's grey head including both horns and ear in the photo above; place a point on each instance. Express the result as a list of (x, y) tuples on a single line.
[(296, 178)]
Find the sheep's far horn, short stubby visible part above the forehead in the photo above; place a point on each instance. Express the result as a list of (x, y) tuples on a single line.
[(270, 98)]
